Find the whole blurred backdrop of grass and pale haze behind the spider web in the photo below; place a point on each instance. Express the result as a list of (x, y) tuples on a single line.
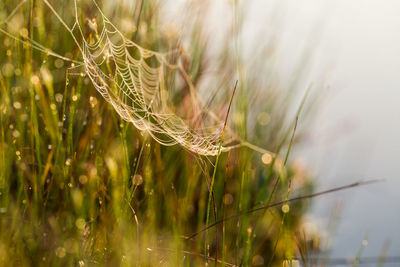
[(346, 50)]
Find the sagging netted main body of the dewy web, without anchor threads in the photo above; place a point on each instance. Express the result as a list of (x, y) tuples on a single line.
[(137, 89)]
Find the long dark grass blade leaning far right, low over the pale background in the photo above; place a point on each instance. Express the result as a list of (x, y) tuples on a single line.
[(332, 190)]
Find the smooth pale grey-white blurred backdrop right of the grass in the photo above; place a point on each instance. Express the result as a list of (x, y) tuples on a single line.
[(355, 134)]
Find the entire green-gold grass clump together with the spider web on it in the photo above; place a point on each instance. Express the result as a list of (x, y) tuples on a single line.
[(114, 153)]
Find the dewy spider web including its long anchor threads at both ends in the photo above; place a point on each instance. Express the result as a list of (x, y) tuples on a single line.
[(134, 80)]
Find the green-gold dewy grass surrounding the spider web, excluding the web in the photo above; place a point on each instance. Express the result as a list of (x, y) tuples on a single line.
[(81, 187)]
